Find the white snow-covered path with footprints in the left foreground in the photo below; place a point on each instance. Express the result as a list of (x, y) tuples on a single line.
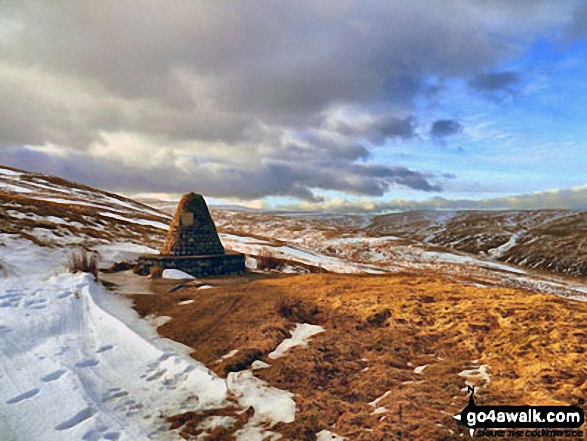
[(77, 363)]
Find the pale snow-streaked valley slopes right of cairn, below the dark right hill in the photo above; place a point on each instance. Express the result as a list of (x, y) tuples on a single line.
[(351, 244)]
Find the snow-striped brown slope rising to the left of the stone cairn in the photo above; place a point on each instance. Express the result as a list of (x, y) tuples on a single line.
[(53, 213)]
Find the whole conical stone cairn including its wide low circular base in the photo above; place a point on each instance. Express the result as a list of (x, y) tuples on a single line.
[(192, 244)]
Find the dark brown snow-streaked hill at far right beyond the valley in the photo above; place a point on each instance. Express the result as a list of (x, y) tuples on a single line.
[(554, 240)]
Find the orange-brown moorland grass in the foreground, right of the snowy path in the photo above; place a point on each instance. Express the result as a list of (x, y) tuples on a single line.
[(378, 329)]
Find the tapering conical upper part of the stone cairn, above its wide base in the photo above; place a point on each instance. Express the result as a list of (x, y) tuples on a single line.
[(192, 231)]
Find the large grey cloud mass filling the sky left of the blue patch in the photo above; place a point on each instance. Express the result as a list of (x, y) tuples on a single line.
[(247, 87)]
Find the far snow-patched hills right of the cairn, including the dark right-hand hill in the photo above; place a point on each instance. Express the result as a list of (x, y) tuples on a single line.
[(553, 240)]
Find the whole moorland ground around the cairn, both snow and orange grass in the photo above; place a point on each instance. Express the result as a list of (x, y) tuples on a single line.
[(391, 327)]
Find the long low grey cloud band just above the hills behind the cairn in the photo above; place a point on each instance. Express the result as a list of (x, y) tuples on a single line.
[(271, 177)]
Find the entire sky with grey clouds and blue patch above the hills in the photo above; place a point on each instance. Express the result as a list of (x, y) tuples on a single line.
[(317, 104)]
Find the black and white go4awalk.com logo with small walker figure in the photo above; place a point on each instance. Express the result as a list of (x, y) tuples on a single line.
[(522, 422)]
